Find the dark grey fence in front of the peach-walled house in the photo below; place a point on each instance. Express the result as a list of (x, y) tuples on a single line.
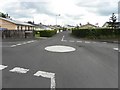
[(17, 34)]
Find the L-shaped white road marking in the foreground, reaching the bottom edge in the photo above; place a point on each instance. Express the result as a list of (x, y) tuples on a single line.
[(47, 75)]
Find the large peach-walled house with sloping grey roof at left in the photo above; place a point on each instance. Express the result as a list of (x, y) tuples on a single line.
[(15, 25)]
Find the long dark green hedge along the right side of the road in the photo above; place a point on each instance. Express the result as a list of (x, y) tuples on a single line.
[(96, 33)]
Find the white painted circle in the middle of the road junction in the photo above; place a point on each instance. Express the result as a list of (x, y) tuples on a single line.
[(60, 48)]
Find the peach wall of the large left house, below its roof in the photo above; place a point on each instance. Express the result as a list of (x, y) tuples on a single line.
[(12, 26)]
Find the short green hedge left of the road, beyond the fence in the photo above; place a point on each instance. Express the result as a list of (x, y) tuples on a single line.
[(46, 33)]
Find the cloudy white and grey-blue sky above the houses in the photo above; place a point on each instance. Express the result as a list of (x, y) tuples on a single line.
[(71, 12)]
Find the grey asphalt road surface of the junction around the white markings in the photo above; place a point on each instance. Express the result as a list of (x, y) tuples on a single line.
[(92, 65)]
